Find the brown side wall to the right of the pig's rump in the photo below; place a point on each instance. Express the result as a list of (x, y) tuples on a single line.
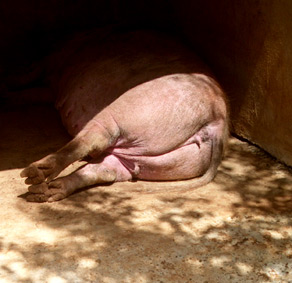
[(249, 45)]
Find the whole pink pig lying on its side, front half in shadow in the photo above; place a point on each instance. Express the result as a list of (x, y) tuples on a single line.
[(143, 107)]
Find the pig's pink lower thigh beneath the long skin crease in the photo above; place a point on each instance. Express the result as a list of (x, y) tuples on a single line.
[(185, 162)]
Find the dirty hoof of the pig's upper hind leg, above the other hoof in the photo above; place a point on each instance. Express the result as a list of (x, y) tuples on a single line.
[(41, 170)]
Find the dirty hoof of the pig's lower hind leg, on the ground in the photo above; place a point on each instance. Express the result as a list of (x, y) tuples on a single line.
[(43, 192)]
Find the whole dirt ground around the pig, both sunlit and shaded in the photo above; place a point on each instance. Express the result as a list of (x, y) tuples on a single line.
[(236, 229)]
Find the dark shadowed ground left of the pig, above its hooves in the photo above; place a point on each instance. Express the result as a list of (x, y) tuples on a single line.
[(24, 132)]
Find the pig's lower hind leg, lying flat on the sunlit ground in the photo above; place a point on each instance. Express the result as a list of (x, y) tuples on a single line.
[(109, 170)]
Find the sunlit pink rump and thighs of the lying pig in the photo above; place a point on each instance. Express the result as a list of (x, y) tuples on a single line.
[(168, 135)]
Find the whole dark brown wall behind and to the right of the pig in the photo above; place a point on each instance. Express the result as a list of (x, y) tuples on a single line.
[(247, 43)]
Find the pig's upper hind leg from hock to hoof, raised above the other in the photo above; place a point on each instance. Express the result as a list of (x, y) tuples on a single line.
[(94, 138)]
